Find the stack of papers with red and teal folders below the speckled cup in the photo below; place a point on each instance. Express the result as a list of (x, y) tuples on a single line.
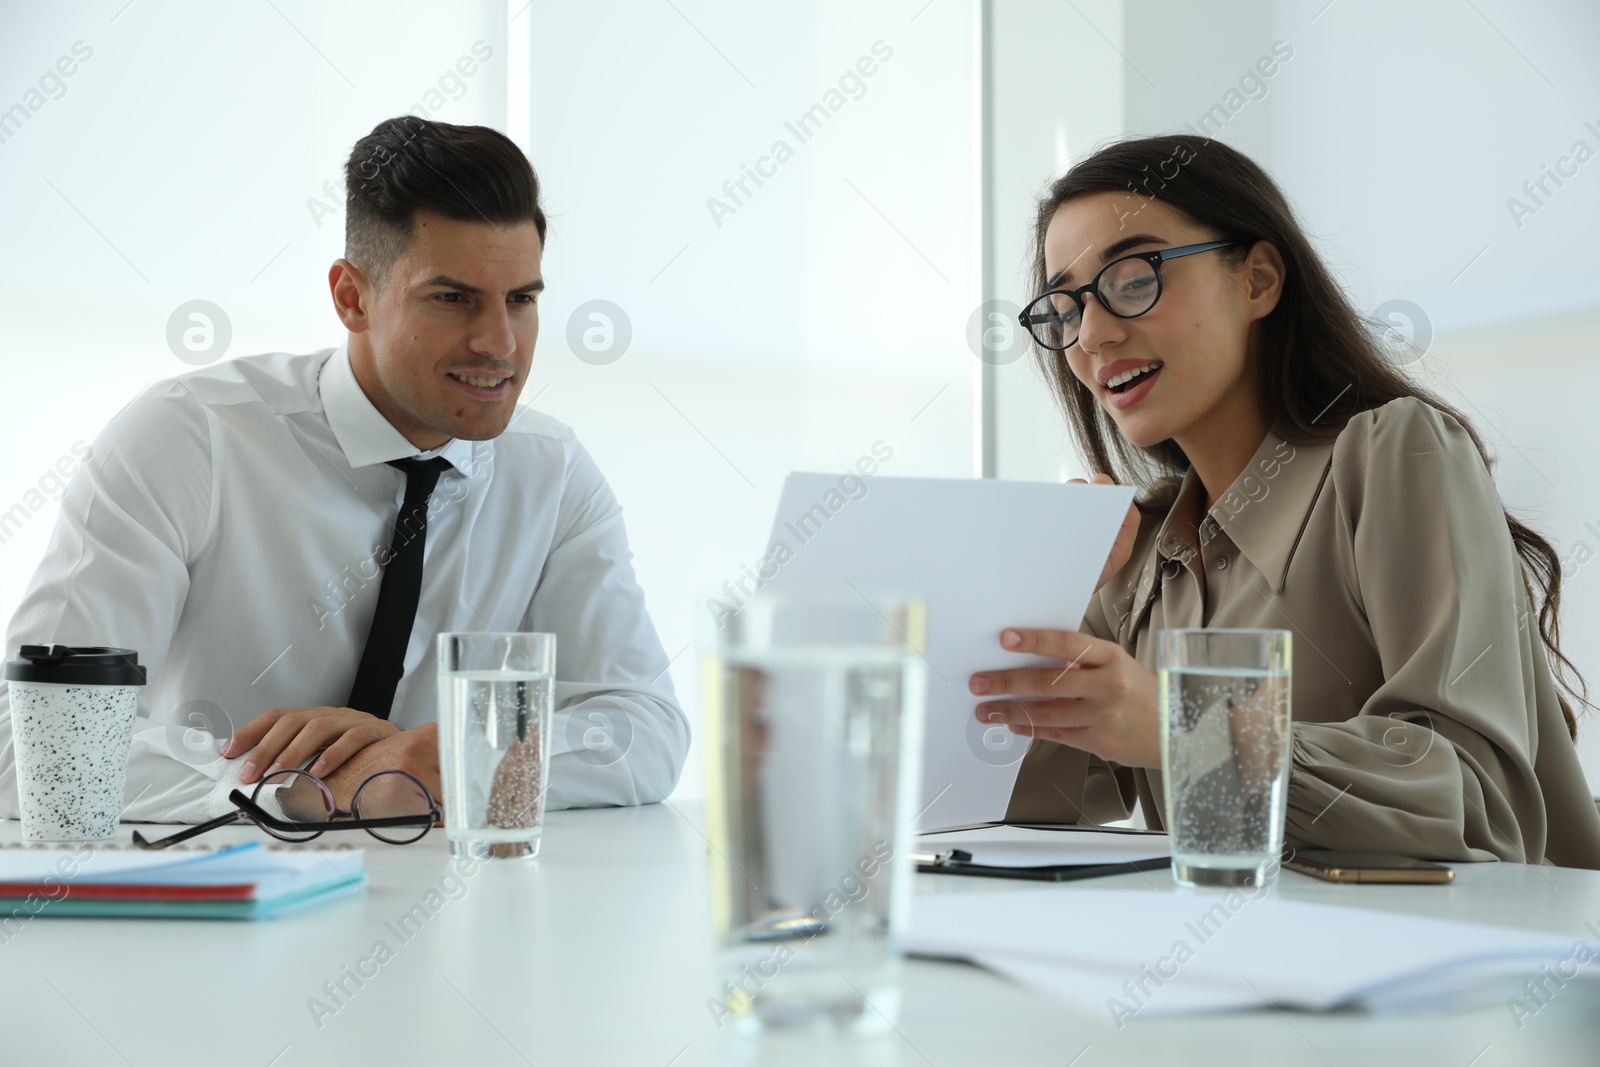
[(242, 882)]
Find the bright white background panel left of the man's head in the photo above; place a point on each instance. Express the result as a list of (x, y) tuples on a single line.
[(178, 166)]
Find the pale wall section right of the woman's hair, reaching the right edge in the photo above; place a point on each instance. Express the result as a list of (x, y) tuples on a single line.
[(1401, 132)]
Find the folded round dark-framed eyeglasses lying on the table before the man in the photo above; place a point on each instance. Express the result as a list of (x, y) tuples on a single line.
[(391, 805)]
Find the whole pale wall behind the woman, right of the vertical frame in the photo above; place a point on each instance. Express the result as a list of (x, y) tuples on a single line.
[(1399, 134)]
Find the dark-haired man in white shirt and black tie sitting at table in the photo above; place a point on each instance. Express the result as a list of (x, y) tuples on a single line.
[(238, 526)]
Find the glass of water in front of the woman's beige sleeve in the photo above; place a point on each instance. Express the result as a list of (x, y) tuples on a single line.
[(1225, 753)]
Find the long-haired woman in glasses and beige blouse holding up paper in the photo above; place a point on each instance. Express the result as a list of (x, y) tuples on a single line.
[(1290, 478)]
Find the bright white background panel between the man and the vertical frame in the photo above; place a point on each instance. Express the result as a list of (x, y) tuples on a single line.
[(825, 314)]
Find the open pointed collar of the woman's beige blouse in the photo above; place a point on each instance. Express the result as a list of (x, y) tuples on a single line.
[(1290, 476)]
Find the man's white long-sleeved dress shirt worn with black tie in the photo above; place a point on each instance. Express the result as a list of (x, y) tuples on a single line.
[(231, 527)]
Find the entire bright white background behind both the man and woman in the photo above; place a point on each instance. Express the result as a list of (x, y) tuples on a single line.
[(186, 159)]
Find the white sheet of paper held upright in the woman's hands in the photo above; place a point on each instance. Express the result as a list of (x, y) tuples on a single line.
[(985, 556)]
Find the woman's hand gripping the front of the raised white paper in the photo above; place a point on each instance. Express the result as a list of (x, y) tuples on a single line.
[(1102, 700)]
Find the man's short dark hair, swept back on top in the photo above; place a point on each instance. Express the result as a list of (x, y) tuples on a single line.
[(466, 174)]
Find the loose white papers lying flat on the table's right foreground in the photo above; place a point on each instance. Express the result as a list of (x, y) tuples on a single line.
[(1156, 953)]
